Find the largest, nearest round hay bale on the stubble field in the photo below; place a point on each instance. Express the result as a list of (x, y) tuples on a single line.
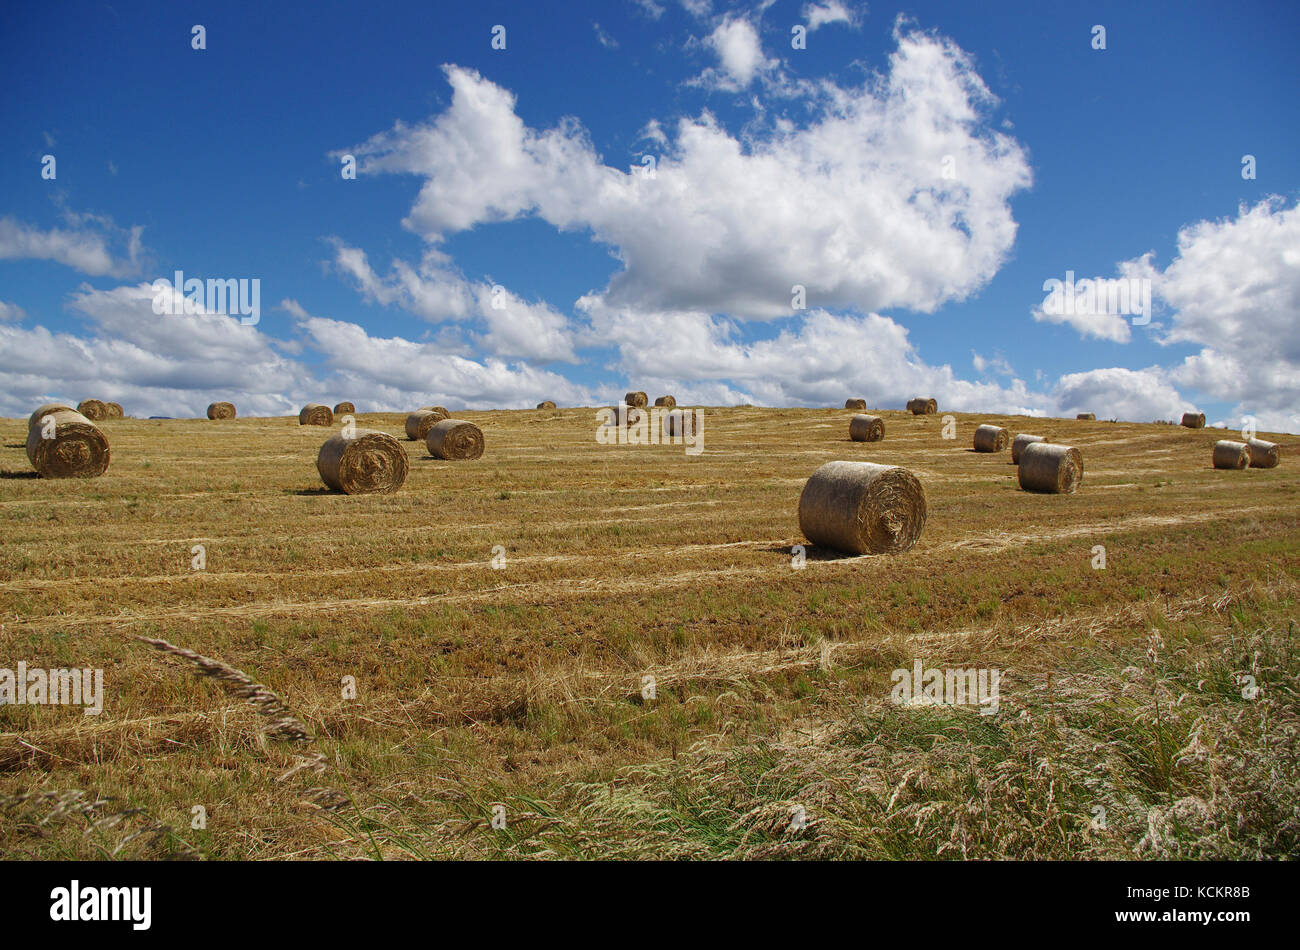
[(860, 507)]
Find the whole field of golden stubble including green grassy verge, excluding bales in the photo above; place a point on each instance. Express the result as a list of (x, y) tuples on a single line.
[(521, 678)]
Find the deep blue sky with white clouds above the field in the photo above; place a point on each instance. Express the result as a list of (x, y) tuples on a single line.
[(502, 242)]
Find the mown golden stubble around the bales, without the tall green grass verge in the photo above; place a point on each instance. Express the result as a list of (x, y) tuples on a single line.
[(523, 683)]
